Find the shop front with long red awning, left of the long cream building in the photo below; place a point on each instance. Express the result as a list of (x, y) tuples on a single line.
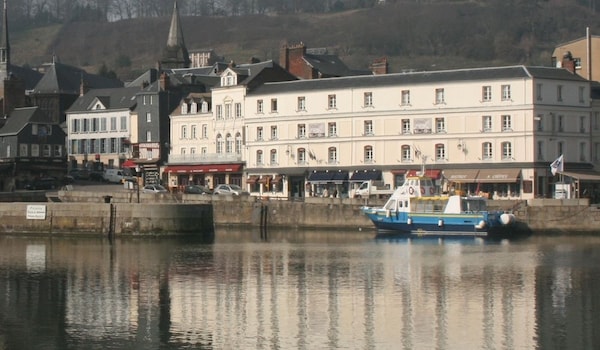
[(209, 175)]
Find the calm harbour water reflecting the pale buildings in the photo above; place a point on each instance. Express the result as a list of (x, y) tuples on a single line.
[(299, 290)]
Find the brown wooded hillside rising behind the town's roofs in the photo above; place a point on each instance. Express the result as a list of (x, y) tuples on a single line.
[(421, 36)]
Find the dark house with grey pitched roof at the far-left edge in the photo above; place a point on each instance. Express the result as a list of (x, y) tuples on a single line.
[(33, 146)]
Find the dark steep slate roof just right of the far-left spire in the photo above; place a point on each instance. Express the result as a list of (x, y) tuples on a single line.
[(65, 79)]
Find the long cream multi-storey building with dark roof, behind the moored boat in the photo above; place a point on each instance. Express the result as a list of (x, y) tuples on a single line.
[(489, 130)]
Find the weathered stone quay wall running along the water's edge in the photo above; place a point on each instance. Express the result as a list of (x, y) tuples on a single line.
[(119, 213)]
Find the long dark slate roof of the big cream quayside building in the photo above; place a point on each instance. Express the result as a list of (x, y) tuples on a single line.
[(415, 78)]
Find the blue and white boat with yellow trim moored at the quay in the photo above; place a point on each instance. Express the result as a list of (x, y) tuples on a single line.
[(416, 208)]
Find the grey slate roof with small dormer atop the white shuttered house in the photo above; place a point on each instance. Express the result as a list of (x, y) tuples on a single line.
[(116, 98)]
